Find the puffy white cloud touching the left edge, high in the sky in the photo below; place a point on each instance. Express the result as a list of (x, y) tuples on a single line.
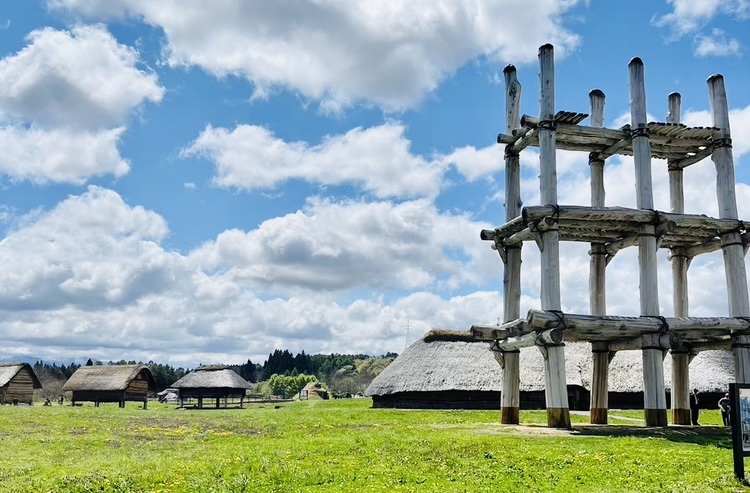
[(64, 99)]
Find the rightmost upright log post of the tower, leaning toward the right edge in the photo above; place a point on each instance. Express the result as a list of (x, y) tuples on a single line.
[(731, 243)]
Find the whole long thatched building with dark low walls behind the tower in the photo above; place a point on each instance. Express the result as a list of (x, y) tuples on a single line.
[(449, 373)]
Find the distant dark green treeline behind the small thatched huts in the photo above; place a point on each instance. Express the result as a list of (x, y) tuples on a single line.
[(343, 373)]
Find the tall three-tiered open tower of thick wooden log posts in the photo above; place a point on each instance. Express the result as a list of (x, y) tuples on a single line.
[(608, 230)]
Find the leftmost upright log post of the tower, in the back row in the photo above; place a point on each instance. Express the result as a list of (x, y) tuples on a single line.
[(510, 360)]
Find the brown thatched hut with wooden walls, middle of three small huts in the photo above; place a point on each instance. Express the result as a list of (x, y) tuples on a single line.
[(113, 383)]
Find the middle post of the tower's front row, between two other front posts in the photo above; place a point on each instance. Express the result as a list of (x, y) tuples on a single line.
[(655, 402)]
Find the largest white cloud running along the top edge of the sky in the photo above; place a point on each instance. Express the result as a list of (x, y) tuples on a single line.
[(341, 52)]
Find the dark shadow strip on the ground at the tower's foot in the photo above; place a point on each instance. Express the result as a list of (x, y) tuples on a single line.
[(715, 436)]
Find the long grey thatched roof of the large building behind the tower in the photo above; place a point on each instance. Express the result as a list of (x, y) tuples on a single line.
[(444, 364)]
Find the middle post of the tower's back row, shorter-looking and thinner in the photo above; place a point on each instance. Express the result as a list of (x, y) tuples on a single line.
[(597, 278)]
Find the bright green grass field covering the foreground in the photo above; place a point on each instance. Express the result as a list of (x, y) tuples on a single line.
[(346, 446)]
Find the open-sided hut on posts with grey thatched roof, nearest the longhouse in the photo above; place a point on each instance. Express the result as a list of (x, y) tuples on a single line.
[(212, 382)]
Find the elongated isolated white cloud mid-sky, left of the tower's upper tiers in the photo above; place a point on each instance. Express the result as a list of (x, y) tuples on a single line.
[(377, 159)]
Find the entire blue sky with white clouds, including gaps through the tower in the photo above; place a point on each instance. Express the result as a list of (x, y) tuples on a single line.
[(191, 181)]
